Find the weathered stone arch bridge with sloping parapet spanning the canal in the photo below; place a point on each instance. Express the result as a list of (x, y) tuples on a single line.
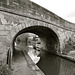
[(22, 16)]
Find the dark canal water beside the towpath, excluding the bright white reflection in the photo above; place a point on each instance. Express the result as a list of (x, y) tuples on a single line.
[(52, 64)]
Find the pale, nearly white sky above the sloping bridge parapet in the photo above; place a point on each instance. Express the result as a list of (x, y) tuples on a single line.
[(63, 8)]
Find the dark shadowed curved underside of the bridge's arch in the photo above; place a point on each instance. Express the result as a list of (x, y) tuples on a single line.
[(49, 39)]
